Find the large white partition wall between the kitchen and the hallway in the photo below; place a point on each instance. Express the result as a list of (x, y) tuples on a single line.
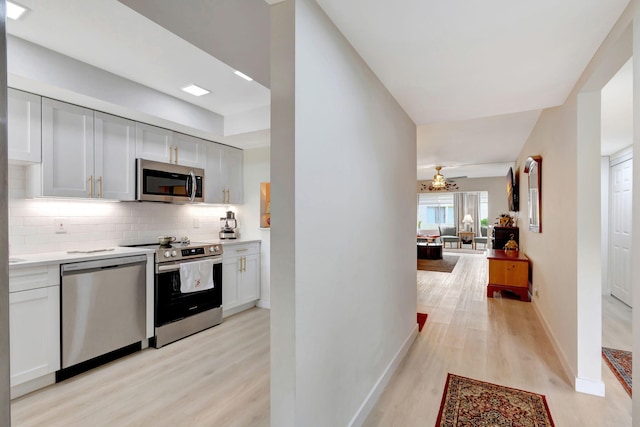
[(343, 225)]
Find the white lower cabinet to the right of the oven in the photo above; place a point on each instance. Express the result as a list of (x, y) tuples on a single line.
[(240, 277)]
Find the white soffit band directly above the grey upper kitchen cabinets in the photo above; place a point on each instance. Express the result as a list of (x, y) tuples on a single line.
[(39, 70)]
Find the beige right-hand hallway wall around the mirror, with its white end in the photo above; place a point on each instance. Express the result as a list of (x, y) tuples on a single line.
[(566, 256)]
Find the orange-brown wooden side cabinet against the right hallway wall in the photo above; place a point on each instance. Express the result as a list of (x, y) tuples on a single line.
[(508, 271)]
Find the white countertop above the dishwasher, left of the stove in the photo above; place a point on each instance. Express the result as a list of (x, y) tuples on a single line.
[(62, 257)]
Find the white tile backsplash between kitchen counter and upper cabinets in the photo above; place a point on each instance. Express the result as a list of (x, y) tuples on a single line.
[(90, 224)]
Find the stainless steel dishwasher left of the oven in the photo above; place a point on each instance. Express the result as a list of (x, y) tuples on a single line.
[(103, 307)]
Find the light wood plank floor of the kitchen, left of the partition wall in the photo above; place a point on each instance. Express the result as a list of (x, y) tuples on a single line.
[(218, 377)]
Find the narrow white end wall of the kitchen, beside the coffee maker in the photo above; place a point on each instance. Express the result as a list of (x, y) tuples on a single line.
[(257, 169)]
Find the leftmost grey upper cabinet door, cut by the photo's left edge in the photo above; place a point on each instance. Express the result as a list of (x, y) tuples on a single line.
[(23, 126)]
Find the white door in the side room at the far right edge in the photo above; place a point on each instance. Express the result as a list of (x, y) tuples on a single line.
[(620, 231)]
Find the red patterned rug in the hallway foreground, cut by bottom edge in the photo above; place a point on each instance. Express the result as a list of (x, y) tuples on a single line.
[(469, 402)]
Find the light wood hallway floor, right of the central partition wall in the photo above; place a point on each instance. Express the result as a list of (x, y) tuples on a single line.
[(490, 339)]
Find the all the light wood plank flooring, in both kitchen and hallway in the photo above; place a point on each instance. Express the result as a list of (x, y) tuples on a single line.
[(220, 377)]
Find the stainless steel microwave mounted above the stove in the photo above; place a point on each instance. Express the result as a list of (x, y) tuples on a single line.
[(166, 182)]
